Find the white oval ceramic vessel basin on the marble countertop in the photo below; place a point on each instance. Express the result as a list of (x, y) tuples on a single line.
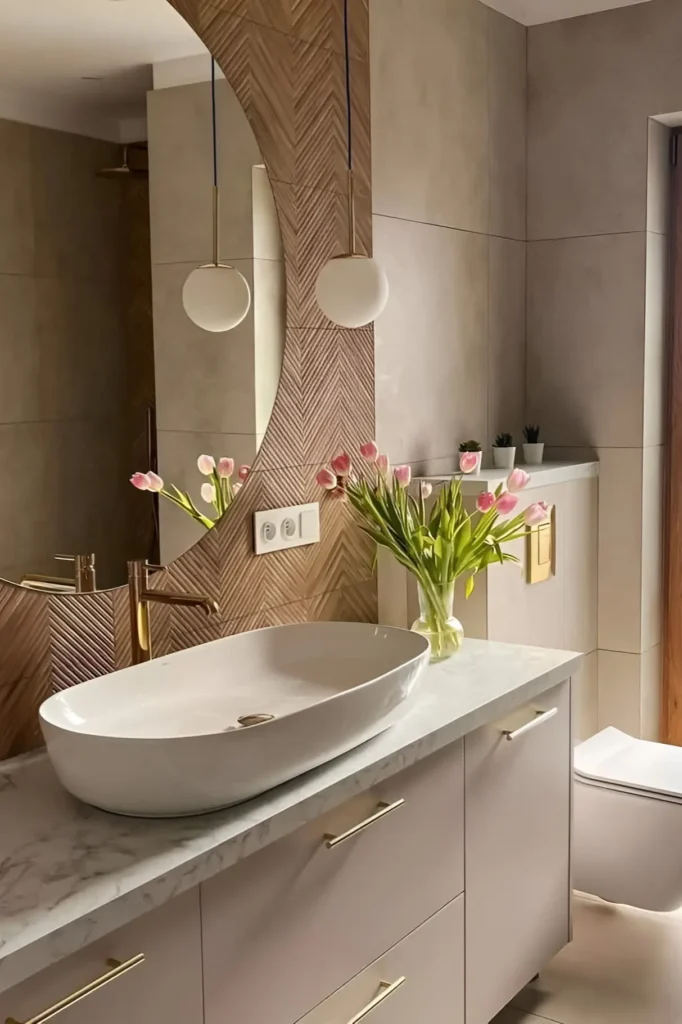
[(164, 739)]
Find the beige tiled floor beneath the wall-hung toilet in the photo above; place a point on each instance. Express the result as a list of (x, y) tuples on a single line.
[(624, 967)]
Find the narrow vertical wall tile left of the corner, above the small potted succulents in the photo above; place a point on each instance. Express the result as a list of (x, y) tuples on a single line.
[(506, 360)]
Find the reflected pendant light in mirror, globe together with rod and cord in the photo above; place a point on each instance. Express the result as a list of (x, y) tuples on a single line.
[(217, 297)]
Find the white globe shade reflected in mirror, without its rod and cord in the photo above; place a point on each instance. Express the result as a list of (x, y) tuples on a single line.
[(217, 297)]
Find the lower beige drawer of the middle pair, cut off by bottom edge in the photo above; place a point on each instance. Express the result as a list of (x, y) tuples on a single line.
[(419, 982)]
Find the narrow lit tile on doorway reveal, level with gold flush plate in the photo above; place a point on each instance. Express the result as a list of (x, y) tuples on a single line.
[(653, 524)]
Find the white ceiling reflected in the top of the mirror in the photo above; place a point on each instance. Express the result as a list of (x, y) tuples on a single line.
[(86, 65)]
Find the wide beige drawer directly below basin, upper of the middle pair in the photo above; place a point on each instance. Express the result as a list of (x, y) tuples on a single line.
[(293, 923)]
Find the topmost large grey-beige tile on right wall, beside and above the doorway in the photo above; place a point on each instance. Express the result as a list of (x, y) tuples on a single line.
[(615, 69)]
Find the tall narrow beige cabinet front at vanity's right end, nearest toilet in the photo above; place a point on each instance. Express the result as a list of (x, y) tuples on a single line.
[(518, 850)]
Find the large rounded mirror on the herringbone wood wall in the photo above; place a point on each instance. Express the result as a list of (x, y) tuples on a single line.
[(107, 164)]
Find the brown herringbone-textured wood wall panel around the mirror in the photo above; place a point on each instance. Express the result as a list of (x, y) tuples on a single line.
[(285, 61)]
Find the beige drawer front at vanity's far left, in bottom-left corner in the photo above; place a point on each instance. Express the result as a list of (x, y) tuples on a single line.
[(166, 987)]
